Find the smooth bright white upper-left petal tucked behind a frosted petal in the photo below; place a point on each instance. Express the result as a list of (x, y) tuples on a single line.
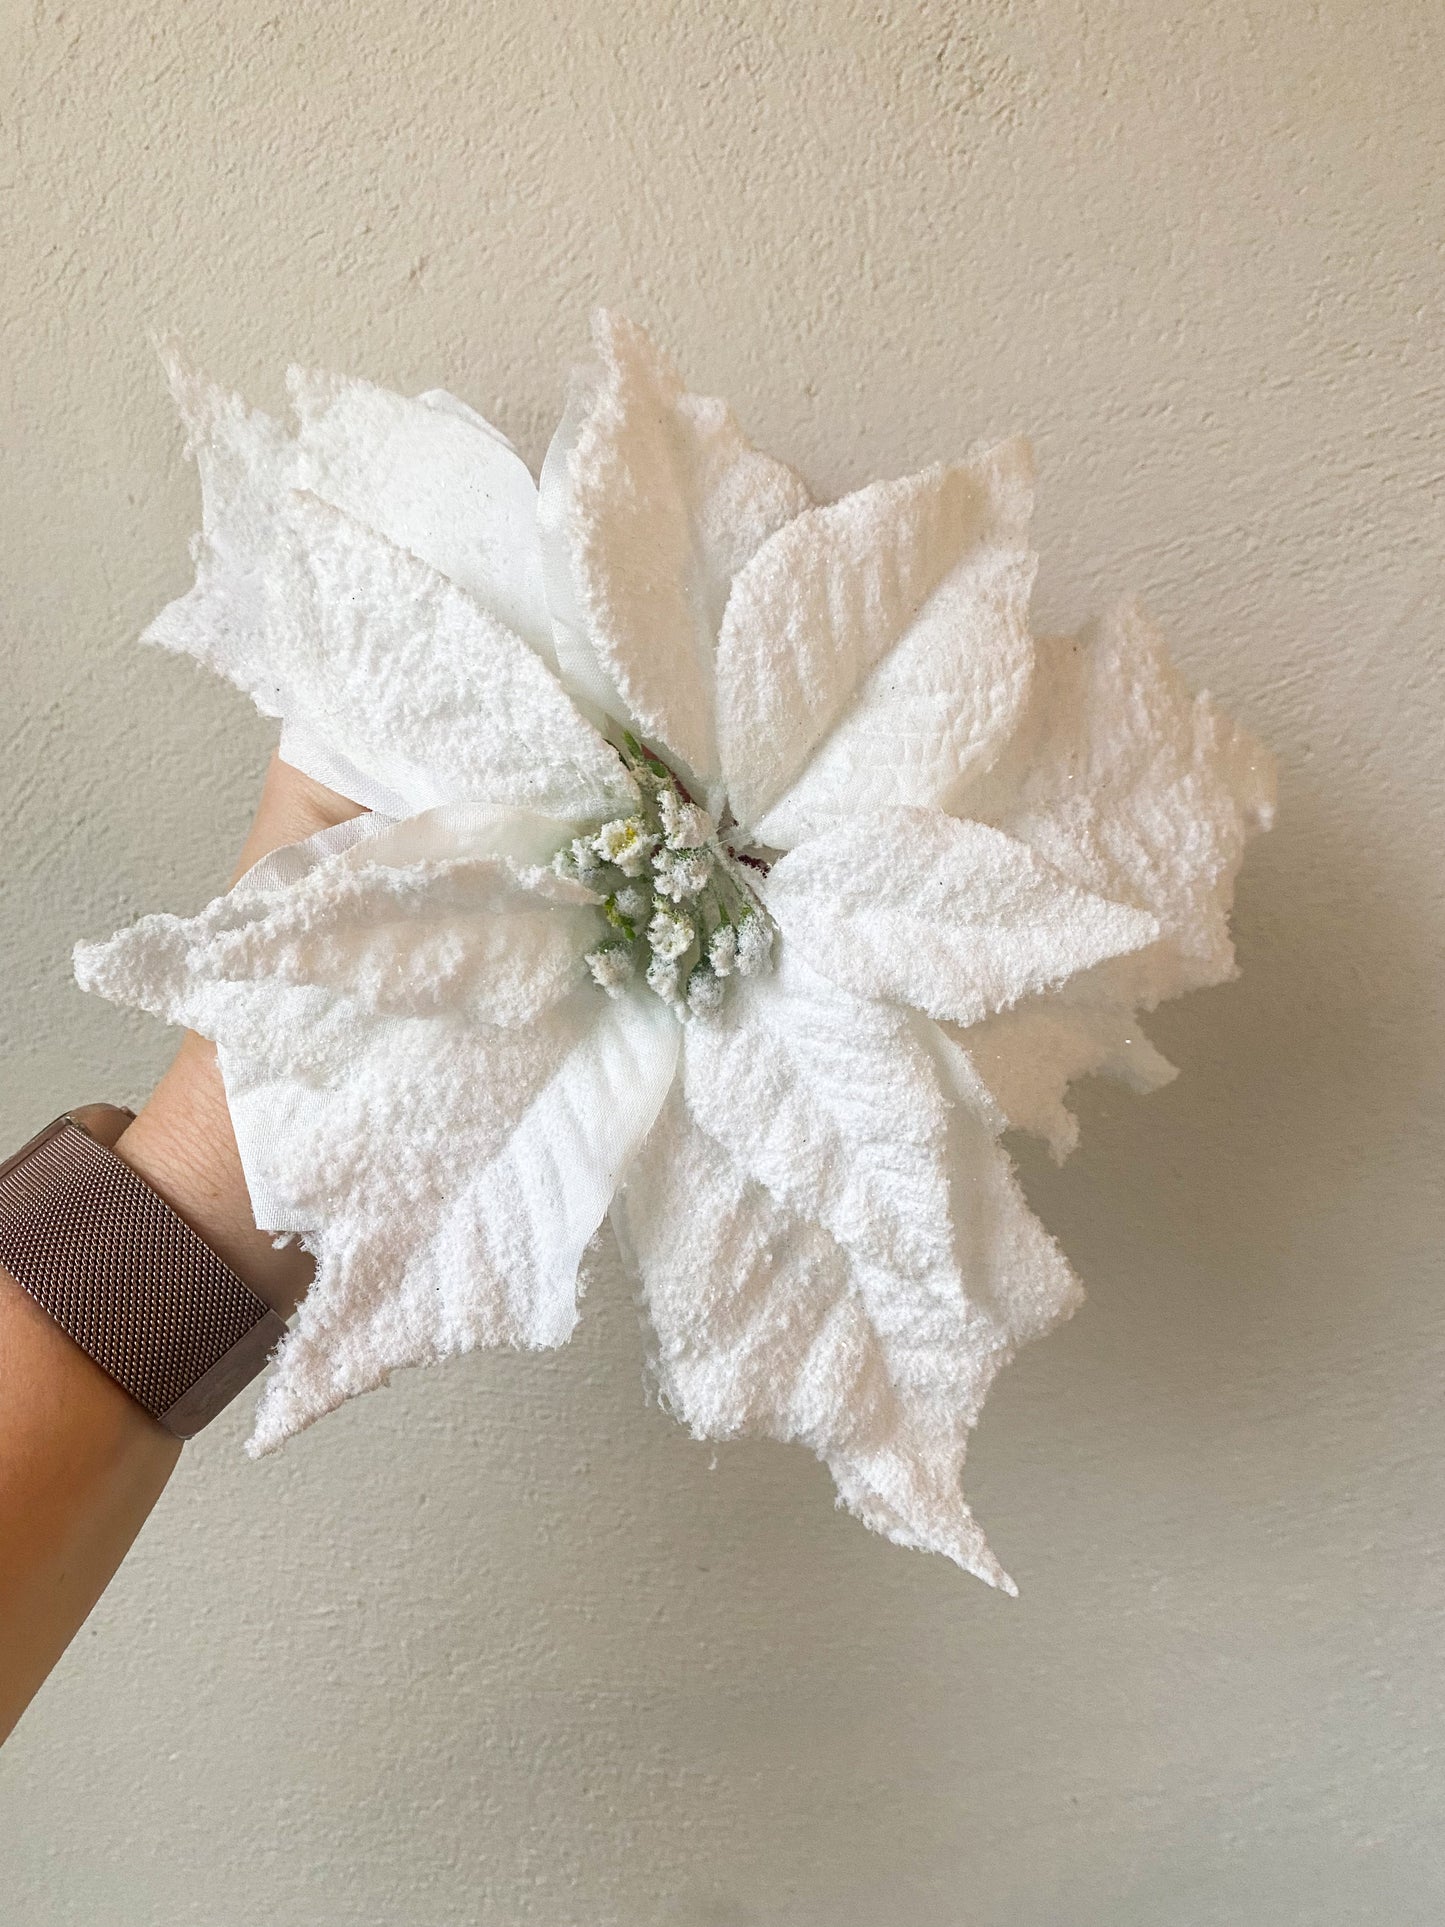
[(436, 481)]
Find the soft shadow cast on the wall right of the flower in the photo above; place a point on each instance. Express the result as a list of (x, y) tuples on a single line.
[(1207, 1219)]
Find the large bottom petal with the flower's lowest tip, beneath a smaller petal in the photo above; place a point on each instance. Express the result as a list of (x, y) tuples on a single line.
[(768, 1327)]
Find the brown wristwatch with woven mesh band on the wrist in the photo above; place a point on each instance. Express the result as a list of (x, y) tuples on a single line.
[(128, 1279)]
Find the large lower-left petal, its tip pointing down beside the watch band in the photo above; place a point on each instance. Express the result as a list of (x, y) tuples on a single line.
[(492, 1244)]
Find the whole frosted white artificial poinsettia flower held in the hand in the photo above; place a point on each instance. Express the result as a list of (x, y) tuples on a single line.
[(739, 868)]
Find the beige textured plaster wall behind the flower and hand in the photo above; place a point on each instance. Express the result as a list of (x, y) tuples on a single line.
[(500, 1647)]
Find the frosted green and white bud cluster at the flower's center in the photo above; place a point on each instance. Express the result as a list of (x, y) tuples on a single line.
[(675, 893)]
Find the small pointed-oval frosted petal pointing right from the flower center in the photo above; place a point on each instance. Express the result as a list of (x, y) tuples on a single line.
[(914, 907)]
